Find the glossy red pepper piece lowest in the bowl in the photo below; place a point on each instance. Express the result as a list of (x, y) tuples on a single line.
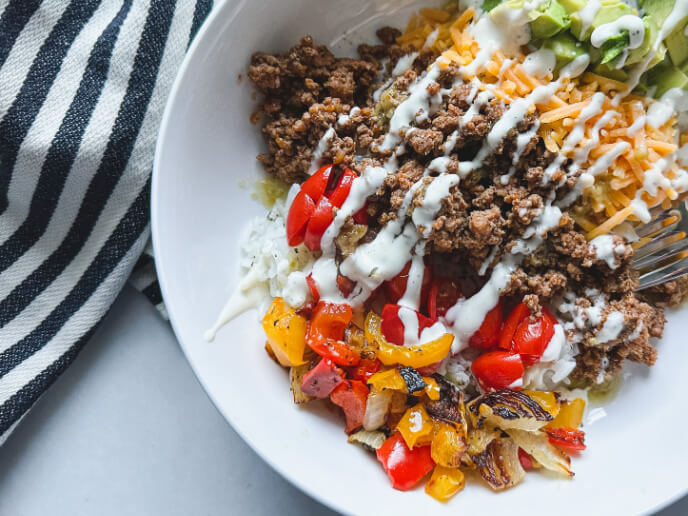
[(404, 467)]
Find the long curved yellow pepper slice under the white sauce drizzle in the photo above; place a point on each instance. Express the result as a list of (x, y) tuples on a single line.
[(413, 356)]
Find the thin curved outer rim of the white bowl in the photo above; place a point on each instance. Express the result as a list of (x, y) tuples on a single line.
[(212, 23)]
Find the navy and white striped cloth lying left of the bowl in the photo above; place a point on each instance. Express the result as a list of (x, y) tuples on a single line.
[(83, 84)]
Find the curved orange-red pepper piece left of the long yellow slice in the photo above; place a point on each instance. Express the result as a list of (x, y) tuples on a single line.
[(326, 333)]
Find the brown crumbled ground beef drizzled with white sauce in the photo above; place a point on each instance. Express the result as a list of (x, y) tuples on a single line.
[(307, 91)]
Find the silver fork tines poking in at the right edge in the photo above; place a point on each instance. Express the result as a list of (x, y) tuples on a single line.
[(663, 255)]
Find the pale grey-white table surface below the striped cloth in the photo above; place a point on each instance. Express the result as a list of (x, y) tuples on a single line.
[(127, 430)]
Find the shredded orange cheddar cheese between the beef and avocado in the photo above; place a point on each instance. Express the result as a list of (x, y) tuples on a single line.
[(607, 203)]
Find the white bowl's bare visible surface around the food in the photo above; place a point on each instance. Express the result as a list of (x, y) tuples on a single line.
[(206, 152)]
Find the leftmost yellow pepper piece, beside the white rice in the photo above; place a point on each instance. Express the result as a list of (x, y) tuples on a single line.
[(286, 333)]
